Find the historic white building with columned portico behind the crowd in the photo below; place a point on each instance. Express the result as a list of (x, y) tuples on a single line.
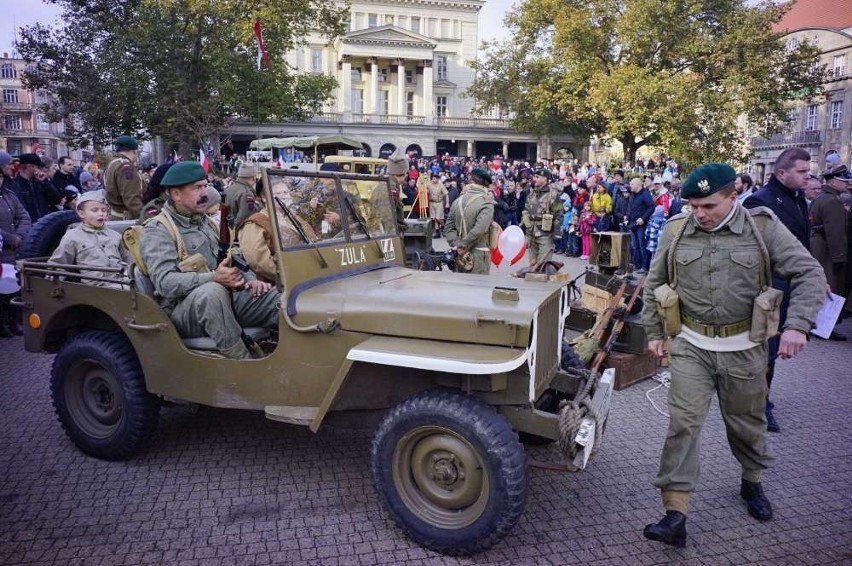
[(402, 70)]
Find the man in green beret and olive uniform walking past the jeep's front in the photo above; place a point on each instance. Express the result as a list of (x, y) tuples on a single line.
[(716, 264)]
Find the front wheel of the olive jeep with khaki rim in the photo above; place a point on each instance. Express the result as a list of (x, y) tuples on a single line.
[(450, 471)]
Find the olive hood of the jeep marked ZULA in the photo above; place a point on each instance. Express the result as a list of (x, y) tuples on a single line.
[(434, 305)]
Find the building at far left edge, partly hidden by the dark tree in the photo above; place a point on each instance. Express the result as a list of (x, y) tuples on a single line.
[(23, 129)]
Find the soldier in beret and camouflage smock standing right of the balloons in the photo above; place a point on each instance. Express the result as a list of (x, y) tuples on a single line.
[(542, 216)]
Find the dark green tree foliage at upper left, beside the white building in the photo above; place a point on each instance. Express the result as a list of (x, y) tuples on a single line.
[(180, 69)]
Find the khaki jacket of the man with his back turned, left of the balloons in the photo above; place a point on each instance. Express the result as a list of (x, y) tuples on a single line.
[(473, 210)]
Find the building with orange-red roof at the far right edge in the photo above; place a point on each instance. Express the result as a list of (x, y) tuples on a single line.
[(819, 126)]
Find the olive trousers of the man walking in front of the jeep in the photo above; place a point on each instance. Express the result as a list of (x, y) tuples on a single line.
[(738, 378)]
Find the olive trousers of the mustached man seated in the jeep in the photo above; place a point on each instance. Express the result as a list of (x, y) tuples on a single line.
[(211, 310)]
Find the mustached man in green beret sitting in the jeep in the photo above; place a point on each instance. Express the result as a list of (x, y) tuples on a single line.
[(201, 297)]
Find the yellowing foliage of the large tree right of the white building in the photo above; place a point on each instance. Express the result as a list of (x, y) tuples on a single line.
[(673, 74)]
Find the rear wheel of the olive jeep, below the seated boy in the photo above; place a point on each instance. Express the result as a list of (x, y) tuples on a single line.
[(100, 398)]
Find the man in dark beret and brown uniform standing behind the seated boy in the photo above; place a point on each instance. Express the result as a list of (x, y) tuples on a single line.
[(123, 182)]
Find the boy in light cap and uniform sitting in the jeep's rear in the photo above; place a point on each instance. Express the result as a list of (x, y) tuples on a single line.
[(90, 243)]
